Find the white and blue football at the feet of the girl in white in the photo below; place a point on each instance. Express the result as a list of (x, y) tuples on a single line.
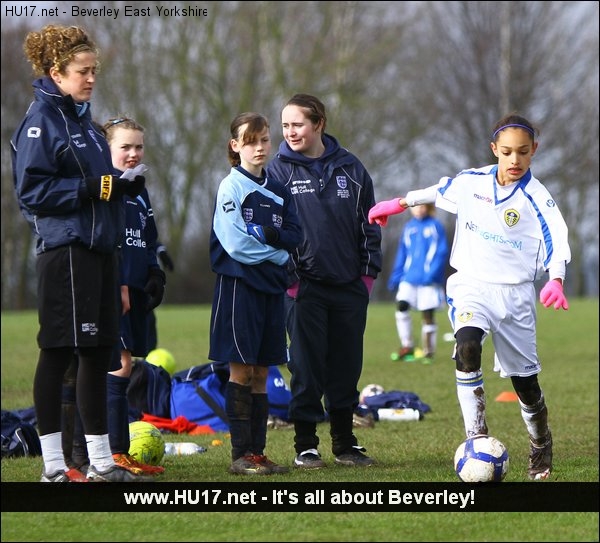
[(481, 459)]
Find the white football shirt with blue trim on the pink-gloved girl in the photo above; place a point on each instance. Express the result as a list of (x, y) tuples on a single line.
[(506, 235)]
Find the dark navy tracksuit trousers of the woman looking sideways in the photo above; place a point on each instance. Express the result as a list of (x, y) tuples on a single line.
[(326, 325)]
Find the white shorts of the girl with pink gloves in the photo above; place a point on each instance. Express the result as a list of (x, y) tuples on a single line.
[(508, 312)]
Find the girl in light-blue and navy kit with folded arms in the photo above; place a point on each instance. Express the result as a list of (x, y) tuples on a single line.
[(255, 226)]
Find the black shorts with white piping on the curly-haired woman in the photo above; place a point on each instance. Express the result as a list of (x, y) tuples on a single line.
[(78, 298)]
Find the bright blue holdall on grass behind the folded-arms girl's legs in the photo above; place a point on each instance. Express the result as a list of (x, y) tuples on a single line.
[(198, 394)]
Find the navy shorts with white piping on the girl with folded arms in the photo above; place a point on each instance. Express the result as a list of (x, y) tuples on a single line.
[(247, 326)]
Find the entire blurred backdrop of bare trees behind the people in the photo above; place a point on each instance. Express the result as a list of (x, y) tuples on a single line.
[(412, 88)]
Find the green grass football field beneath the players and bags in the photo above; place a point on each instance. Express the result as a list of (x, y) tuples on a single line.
[(406, 451)]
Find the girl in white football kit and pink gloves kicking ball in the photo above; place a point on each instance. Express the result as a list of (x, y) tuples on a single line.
[(509, 231)]
